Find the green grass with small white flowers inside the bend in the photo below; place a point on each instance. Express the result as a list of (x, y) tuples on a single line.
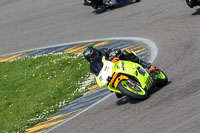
[(33, 88)]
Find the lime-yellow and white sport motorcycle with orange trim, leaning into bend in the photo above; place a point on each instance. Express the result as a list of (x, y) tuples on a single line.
[(127, 78)]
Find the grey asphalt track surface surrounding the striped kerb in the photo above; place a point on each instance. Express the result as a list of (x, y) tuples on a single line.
[(174, 27)]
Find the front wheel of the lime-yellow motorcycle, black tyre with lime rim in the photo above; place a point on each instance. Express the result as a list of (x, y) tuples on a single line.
[(132, 91)]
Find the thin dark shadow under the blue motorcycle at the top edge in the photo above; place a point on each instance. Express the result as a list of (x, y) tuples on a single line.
[(99, 11)]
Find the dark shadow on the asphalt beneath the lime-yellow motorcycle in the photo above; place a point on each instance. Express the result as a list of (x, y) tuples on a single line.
[(126, 100)]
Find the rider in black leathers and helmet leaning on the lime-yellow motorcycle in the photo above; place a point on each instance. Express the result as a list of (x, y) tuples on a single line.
[(94, 57)]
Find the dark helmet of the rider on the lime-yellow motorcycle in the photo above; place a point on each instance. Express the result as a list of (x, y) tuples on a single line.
[(90, 53)]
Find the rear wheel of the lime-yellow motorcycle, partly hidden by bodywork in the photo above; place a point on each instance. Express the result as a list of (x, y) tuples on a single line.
[(162, 80)]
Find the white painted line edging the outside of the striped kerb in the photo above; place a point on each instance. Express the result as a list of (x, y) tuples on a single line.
[(152, 47)]
